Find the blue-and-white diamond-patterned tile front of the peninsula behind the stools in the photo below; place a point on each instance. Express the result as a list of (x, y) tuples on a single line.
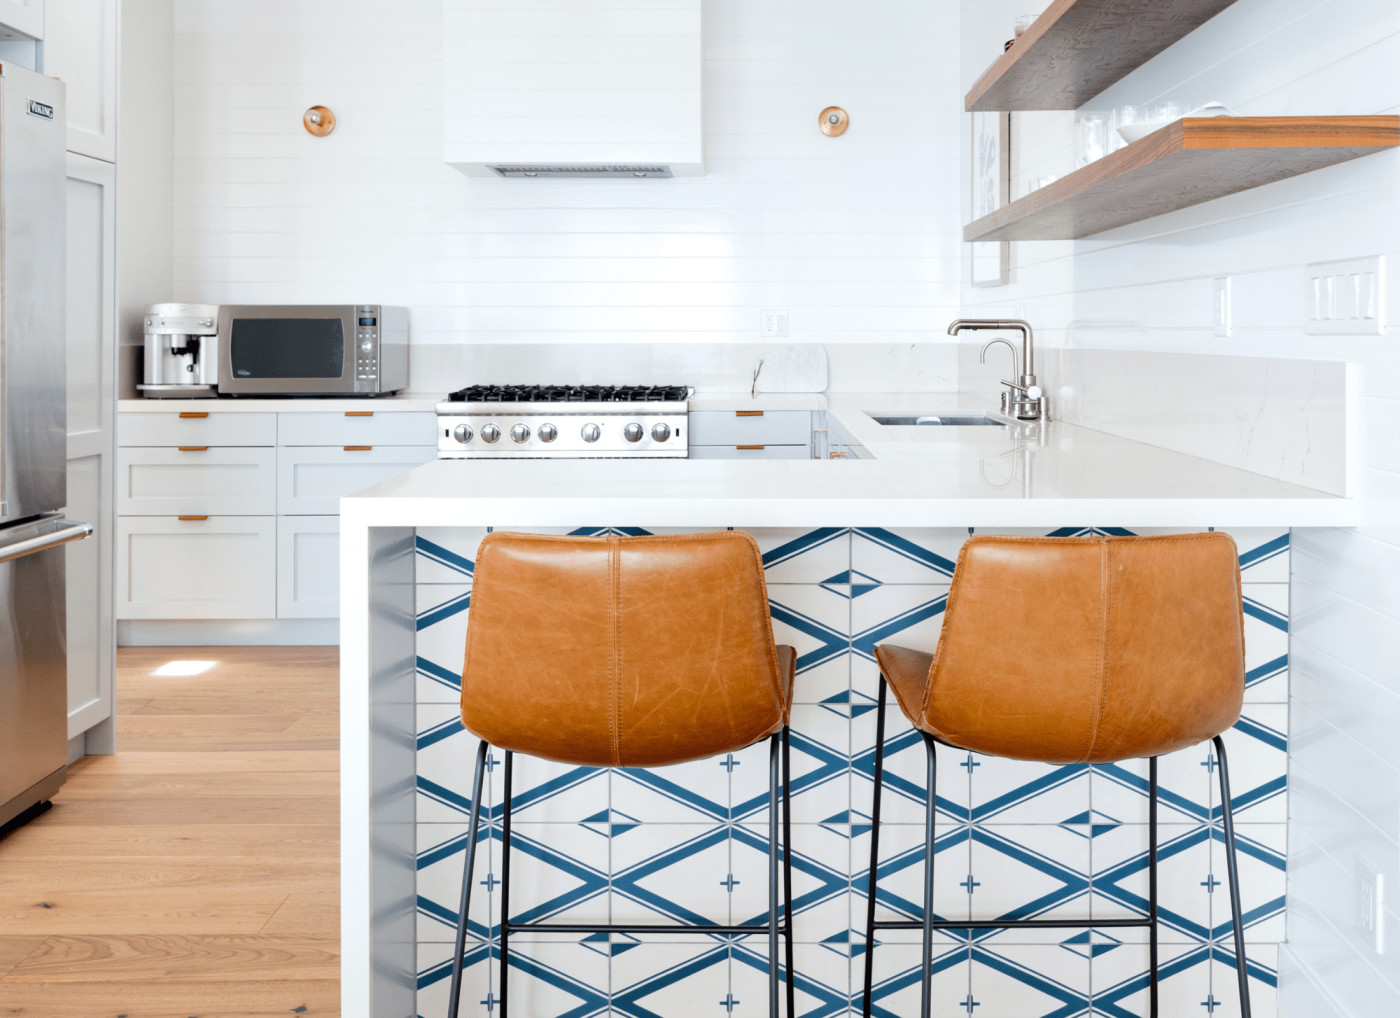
[(688, 844)]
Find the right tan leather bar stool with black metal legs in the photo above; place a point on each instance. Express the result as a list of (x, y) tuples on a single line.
[(1074, 650)]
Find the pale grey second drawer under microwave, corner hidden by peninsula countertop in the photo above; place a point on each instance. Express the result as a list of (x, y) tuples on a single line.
[(311, 481)]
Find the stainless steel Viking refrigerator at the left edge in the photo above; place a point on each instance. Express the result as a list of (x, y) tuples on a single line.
[(34, 685)]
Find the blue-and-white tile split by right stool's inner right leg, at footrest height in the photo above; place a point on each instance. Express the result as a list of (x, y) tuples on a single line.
[(1186, 881)]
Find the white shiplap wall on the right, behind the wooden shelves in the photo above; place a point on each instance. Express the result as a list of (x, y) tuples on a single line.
[(1149, 288)]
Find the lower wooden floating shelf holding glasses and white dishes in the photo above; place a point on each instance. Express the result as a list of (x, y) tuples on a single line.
[(1185, 163)]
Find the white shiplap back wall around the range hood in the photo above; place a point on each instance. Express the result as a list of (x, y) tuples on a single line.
[(859, 237)]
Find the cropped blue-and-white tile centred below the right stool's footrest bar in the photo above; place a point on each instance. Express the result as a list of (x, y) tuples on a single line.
[(1028, 981)]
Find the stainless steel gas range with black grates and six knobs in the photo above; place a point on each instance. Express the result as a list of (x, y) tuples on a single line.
[(565, 422)]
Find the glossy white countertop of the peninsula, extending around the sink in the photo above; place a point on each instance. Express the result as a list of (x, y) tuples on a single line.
[(1051, 475)]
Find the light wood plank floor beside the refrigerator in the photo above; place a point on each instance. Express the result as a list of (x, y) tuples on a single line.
[(195, 873)]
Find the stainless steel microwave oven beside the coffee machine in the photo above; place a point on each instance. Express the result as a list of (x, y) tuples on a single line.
[(313, 349)]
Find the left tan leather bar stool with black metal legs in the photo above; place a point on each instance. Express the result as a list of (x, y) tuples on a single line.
[(654, 650)]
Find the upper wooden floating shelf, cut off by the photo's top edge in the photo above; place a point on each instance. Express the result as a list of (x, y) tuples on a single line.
[(1079, 48)]
